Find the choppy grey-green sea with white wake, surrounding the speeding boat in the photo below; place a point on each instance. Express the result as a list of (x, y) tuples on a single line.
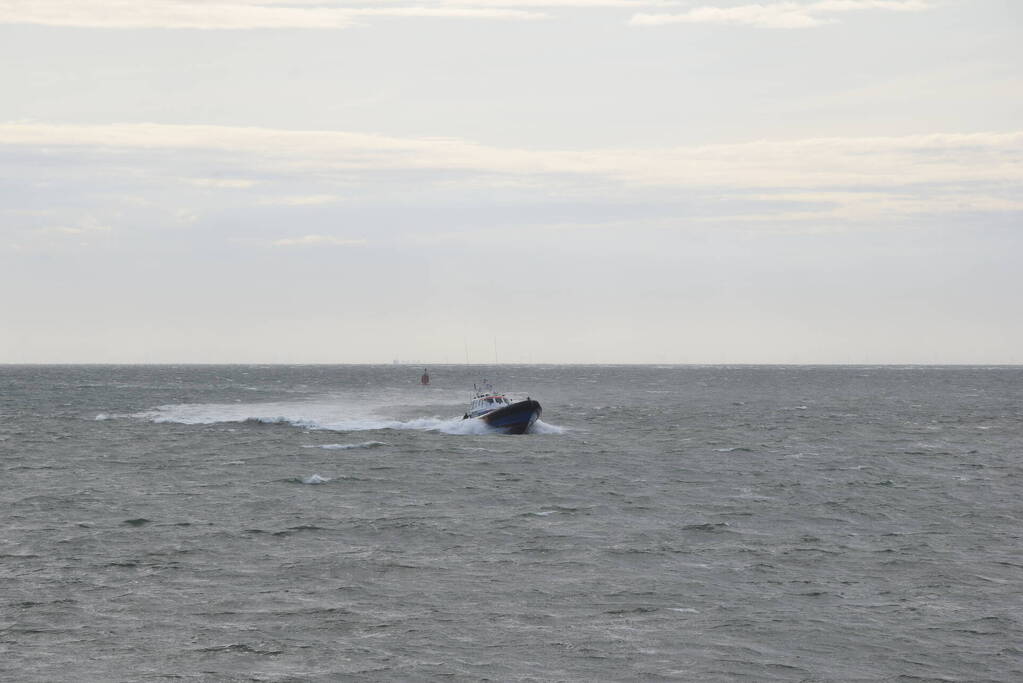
[(270, 523)]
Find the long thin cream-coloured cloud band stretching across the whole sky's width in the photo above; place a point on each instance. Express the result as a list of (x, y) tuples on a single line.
[(956, 158)]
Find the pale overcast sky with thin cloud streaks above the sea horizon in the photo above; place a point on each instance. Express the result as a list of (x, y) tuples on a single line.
[(811, 181)]
